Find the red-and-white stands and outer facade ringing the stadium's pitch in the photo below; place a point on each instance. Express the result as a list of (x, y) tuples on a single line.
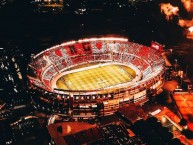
[(49, 63)]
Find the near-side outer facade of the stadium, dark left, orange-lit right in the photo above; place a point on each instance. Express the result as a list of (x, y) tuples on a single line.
[(83, 104)]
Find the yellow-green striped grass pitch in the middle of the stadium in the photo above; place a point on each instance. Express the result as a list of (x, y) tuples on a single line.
[(96, 78)]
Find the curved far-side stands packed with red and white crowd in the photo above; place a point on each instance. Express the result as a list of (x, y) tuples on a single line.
[(58, 59)]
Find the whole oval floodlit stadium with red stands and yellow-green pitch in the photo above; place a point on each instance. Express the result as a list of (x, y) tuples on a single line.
[(94, 76)]
